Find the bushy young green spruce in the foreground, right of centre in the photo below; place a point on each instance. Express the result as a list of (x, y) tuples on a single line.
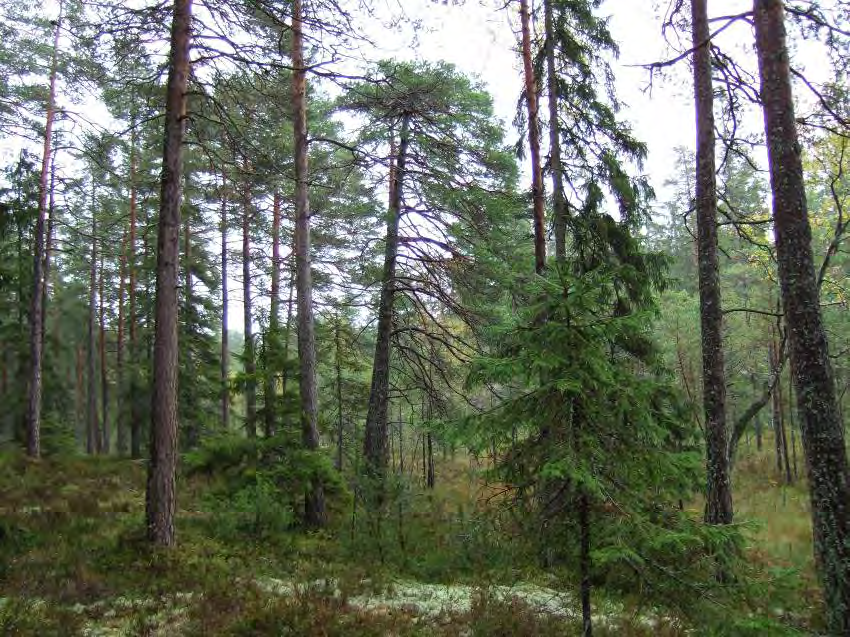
[(588, 411)]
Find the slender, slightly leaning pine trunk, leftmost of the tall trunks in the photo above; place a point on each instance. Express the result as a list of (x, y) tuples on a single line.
[(37, 310)]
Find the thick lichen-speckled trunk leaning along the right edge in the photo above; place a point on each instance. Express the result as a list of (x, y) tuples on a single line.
[(820, 428)]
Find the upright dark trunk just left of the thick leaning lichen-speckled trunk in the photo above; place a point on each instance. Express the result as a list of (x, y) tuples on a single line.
[(718, 506)]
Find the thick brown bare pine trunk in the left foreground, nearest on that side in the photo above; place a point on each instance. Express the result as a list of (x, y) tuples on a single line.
[(160, 501)]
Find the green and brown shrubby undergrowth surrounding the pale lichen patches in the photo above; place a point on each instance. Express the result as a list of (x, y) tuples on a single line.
[(72, 554)]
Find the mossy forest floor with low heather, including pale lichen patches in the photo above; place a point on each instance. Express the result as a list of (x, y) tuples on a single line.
[(73, 561)]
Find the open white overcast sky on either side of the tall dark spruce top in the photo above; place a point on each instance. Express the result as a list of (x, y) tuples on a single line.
[(480, 40)]
